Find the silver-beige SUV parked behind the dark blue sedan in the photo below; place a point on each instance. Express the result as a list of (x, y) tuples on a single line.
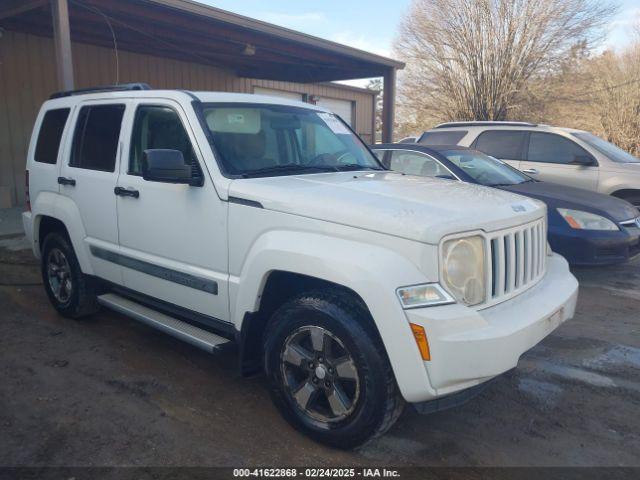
[(560, 155)]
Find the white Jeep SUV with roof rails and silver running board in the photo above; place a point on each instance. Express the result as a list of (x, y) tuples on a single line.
[(234, 218)]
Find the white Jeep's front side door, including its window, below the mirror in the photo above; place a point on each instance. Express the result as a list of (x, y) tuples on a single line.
[(173, 237)]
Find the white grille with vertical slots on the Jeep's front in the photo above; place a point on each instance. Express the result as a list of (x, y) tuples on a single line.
[(516, 260)]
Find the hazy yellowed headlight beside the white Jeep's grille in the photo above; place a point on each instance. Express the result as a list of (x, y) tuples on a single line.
[(463, 269)]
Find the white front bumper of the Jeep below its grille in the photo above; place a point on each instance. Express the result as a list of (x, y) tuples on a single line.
[(470, 346)]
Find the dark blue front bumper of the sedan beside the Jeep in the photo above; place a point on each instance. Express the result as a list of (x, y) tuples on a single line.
[(592, 248)]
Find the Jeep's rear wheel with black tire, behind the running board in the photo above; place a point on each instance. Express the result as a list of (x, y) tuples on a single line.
[(80, 299)]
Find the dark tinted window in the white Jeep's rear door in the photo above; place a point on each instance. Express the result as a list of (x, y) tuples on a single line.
[(95, 140)]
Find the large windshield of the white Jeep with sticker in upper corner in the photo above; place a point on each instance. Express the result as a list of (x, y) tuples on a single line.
[(267, 140)]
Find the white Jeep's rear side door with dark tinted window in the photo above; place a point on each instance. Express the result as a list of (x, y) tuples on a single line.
[(89, 174)]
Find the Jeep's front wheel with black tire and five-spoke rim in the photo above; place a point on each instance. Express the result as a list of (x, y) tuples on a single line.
[(347, 327)]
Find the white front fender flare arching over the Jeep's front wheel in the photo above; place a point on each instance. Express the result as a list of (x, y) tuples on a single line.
[(371, 271)]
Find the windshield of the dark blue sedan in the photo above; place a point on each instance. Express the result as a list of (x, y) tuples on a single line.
[(484, 169)]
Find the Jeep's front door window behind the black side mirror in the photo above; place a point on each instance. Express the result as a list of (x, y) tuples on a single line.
[(160, 127)]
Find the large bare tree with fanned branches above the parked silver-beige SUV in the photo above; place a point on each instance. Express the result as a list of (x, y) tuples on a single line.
[(473, 59)]
